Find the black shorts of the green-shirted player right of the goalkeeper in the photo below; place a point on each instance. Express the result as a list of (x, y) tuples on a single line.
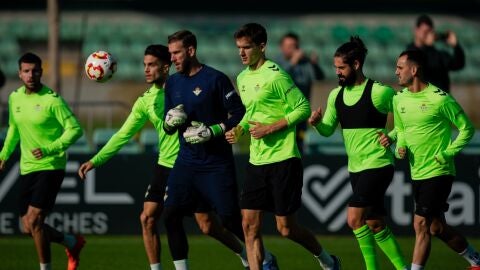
[(275, 187)]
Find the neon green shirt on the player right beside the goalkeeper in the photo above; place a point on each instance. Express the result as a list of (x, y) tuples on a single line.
[(269, 94)]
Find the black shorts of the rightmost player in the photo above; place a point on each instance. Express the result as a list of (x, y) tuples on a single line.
[(431, 195)]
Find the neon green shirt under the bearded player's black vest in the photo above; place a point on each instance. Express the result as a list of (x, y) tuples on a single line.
[(362, 145)]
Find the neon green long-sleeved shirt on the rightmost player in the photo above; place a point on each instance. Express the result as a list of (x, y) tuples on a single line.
[(423, 123)]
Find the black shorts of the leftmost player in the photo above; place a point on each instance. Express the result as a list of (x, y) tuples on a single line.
[(40, 189)]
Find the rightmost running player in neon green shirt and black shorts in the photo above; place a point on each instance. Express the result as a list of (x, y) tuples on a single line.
[(423, 115)]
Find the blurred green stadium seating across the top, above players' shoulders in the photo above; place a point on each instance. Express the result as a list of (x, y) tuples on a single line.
[(385, 40)]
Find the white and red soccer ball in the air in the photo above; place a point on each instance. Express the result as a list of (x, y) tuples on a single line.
[(100, 66)]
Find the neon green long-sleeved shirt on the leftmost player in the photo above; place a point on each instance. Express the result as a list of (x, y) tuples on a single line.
[(40, 120)]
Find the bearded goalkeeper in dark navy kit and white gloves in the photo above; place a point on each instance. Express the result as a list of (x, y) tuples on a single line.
[(201, 103)]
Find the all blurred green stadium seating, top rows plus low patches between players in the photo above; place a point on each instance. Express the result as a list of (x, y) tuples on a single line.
[(385, 39)]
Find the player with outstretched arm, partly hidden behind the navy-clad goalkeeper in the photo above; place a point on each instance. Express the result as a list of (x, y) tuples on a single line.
[(149, 106)]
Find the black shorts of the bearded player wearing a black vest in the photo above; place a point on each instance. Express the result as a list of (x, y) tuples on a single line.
[(369, 187)]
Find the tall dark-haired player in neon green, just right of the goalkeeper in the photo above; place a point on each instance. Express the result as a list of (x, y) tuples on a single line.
[(275, 172)]
